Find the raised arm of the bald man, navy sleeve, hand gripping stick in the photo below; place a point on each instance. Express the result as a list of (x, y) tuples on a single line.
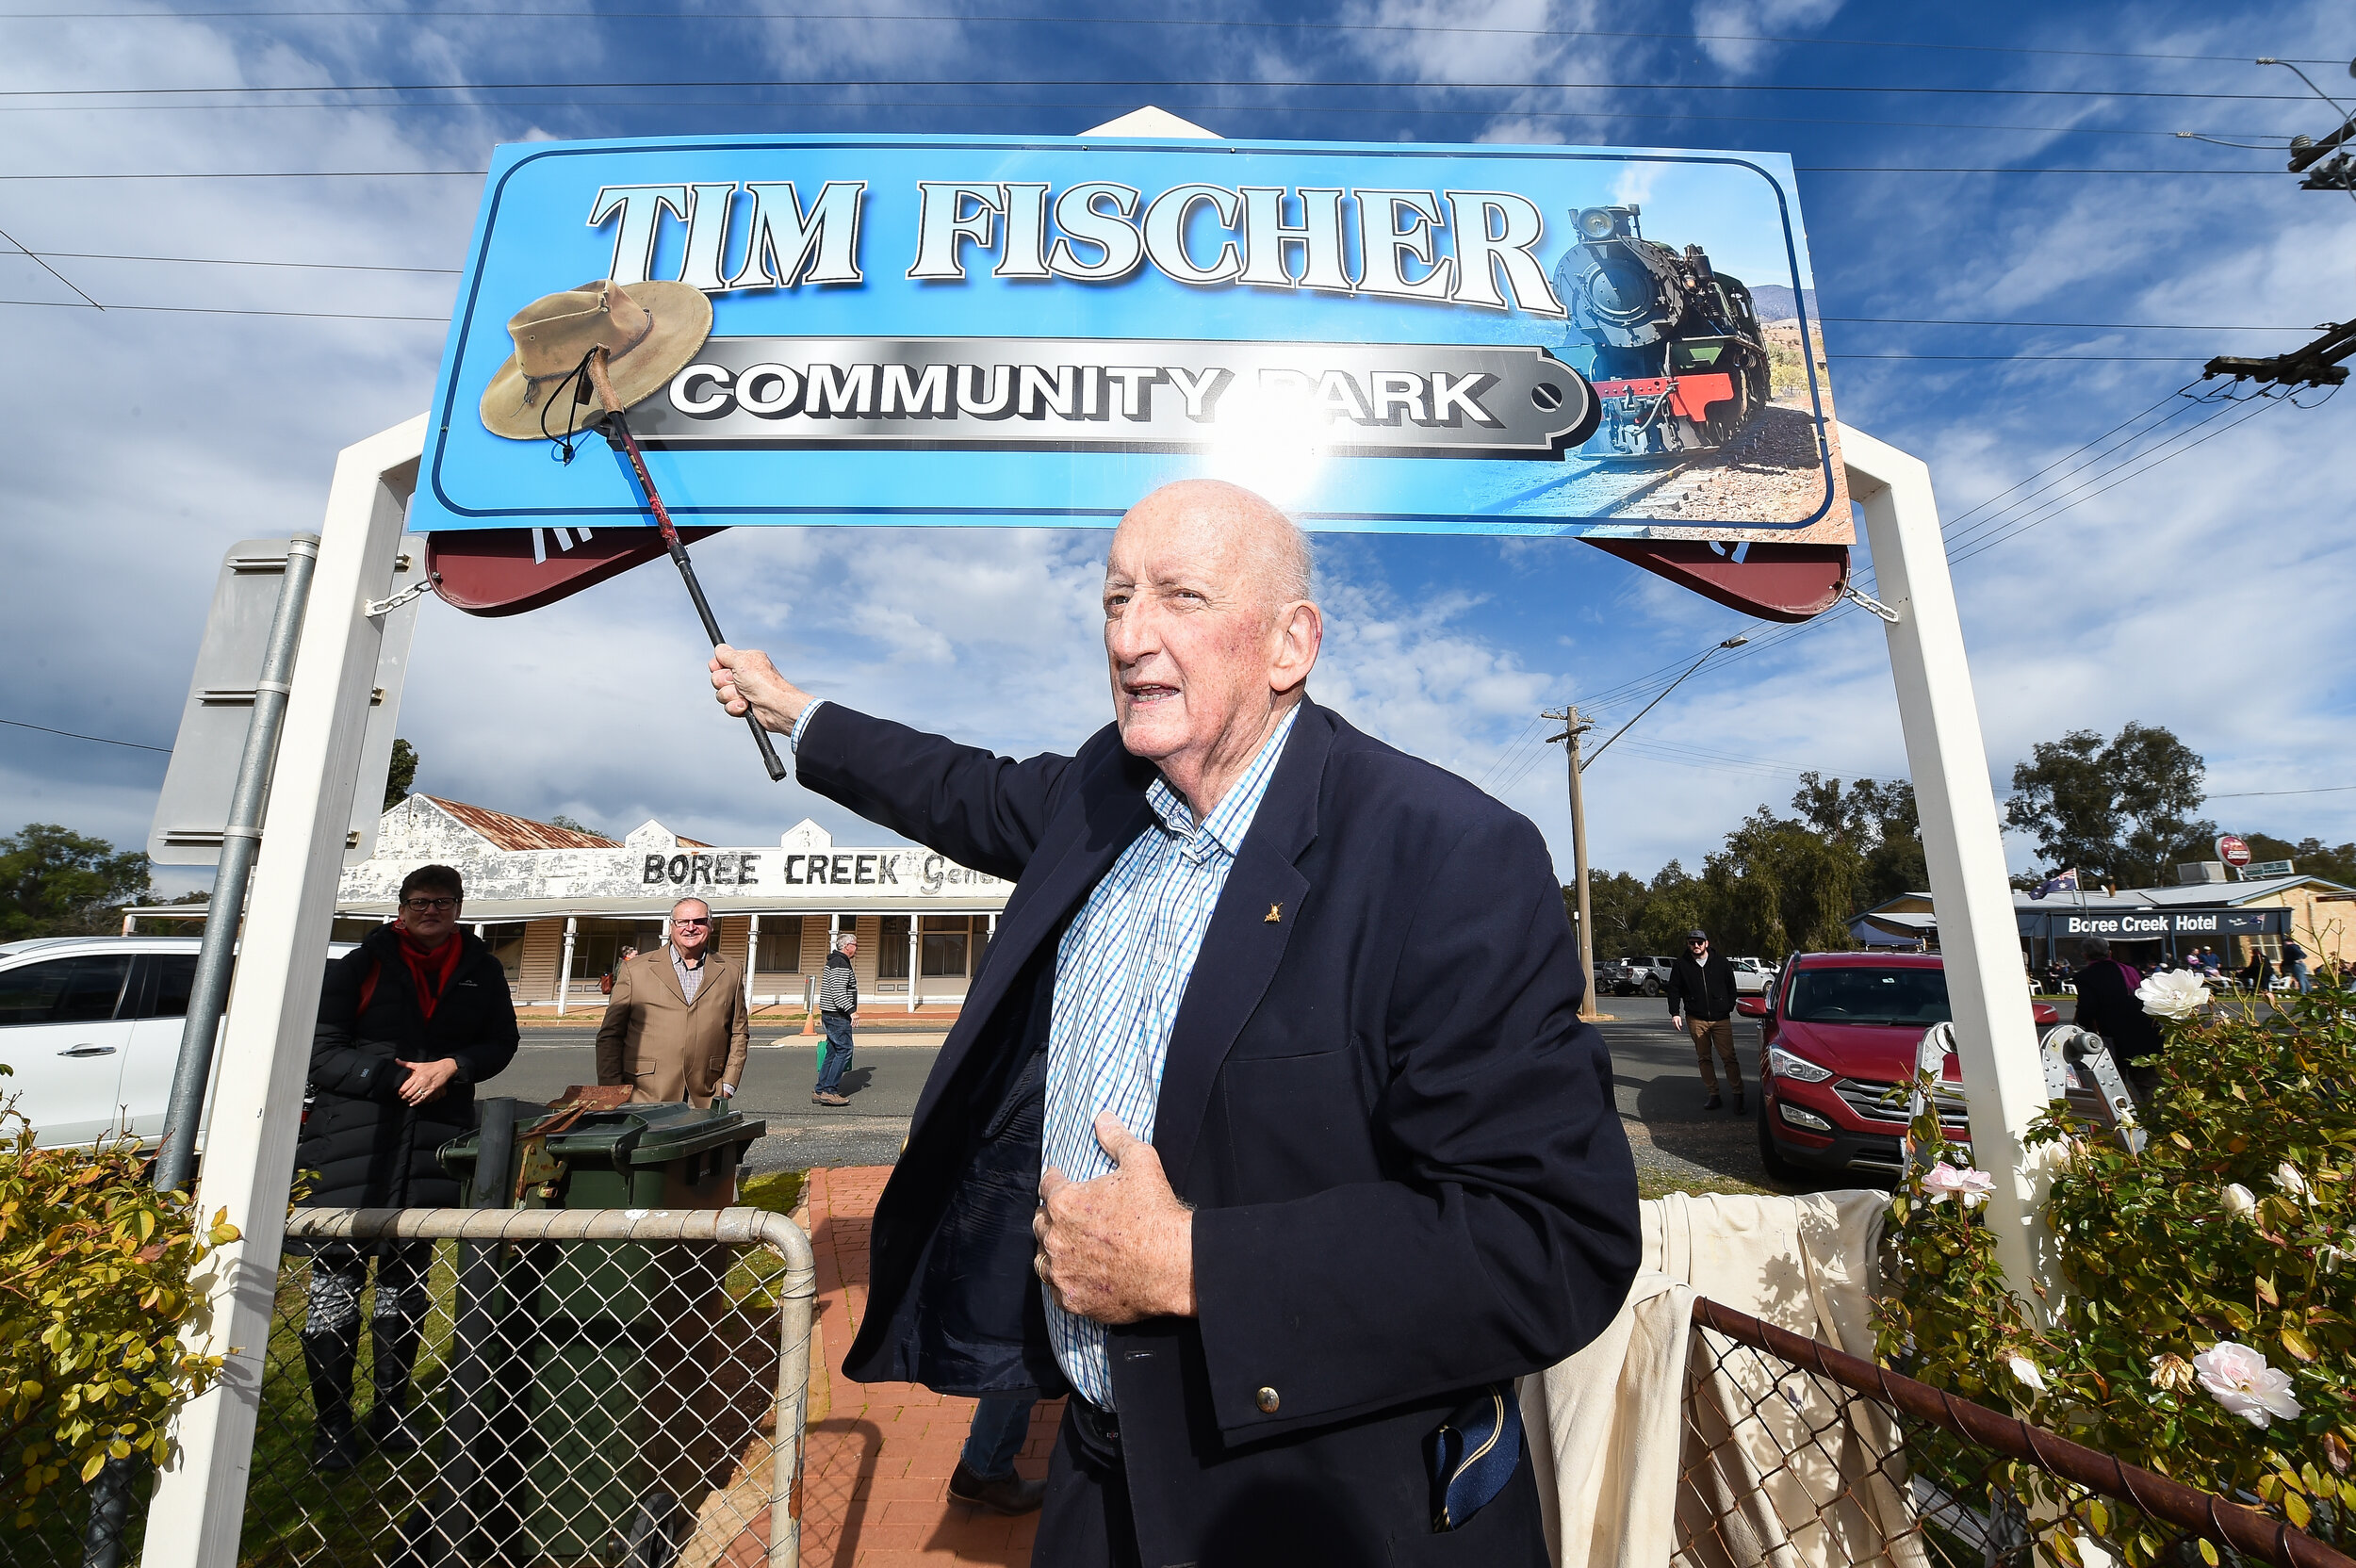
[(974, 806)]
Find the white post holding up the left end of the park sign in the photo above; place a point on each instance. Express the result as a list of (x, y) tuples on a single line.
[(199, 1506)]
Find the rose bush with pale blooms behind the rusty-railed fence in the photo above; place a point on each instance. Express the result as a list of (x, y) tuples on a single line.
[(2206, 1327)]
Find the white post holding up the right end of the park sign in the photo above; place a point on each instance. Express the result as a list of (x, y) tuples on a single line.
[(1997, 1035)]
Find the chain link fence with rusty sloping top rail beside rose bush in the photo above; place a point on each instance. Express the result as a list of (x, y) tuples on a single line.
[(1799, 1454)]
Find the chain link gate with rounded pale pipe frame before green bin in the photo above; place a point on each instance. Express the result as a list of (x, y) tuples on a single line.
[(519, 1390)]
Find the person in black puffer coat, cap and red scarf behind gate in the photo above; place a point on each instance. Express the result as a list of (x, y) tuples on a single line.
[(409, 1025)]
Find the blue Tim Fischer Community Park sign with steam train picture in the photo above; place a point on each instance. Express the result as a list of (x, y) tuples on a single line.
[(1040, 331)]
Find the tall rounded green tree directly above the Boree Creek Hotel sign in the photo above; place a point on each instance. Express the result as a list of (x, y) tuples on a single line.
[(2122, 809)]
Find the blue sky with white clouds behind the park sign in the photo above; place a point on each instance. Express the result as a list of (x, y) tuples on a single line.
[(2211, 597)]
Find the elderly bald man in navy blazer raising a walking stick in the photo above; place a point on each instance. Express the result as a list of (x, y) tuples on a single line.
[(1269, 1127)]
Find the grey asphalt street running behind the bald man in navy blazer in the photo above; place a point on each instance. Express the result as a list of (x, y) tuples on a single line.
[(1653, 1070)]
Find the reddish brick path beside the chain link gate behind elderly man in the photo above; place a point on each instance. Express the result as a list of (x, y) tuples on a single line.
[(880, 1456)]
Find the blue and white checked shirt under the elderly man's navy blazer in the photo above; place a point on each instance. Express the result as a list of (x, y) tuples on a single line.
[(1120, 976)]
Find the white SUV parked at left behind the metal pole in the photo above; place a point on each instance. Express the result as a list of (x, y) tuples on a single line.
[(91, 1028)]
